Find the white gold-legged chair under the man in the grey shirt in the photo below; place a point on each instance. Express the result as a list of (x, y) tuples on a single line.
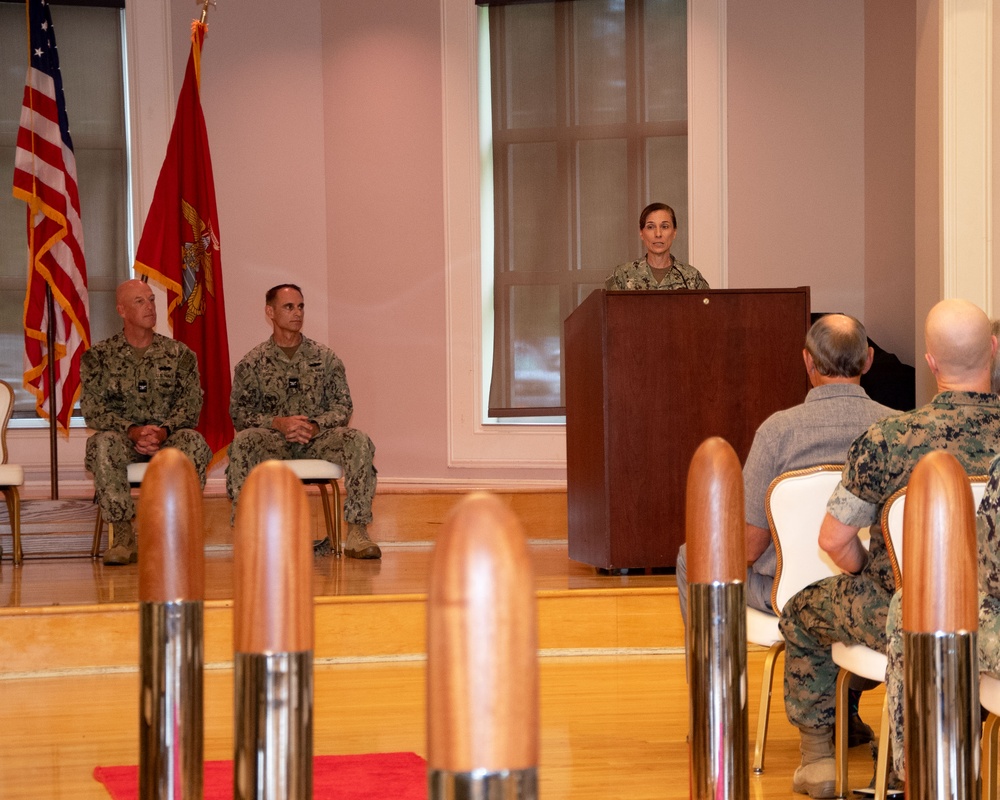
[(796, 503)]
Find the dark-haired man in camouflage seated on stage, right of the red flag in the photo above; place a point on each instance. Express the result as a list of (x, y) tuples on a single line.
[(290, 400)]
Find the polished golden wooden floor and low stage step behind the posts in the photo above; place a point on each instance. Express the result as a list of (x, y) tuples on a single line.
[(614, 703)]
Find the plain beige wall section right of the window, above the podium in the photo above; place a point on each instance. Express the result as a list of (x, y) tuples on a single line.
[(796, 149)]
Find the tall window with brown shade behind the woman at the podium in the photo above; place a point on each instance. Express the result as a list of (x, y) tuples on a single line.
[(589, 124)]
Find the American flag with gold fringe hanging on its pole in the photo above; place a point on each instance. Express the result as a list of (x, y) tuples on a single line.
[(45, 178)]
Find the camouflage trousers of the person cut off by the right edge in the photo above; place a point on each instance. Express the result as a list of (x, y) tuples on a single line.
[(989, 661)]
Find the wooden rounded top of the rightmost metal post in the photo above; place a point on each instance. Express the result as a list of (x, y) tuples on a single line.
[(940, 581)]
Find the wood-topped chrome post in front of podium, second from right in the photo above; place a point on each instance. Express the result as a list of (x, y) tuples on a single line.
[(716, 631)]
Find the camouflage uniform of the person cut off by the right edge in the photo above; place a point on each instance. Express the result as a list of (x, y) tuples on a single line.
[(989, 612)]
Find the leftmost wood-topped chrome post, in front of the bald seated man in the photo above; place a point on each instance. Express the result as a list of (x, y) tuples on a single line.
[(171, 630)]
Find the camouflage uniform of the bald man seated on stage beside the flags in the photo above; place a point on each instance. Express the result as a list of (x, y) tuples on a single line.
[(122, 389)]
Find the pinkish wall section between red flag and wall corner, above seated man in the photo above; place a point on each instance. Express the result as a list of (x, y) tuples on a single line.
[(262, 86)]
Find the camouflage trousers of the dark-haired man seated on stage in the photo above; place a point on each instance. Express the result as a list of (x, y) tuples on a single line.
[(350, 448)]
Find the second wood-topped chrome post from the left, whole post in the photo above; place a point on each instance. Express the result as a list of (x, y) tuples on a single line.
[(273, 638)]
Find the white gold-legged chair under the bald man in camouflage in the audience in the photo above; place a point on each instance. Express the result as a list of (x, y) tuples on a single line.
[(871, 664)]
